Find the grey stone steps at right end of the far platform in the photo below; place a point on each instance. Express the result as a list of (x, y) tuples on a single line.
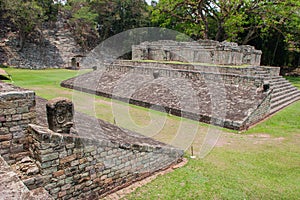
[(284, 93)]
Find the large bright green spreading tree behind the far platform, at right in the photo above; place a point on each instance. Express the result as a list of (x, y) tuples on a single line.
[(241, 21)]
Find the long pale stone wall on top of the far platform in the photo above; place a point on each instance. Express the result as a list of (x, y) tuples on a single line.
[(202, 51)]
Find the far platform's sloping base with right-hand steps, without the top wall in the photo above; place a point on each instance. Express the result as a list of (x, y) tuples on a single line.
[(231, 97)]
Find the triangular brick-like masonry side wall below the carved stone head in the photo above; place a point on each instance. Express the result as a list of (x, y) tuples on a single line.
[(87, 168)]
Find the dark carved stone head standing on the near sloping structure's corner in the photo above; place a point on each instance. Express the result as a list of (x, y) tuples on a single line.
[(60, 115)]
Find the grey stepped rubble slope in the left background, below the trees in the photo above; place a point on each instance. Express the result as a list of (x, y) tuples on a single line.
[(54, 47)]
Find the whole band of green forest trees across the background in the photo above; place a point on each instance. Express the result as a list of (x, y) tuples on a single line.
[(272, 26)]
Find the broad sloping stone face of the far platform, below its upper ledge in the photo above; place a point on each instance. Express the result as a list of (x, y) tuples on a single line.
[(204, 96)]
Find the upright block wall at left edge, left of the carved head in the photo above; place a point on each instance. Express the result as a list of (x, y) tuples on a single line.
[(16, 112)]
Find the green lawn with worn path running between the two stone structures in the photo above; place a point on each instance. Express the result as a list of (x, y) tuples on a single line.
[(262, 163)]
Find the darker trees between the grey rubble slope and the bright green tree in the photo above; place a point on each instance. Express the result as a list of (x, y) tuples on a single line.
[(103, 18)]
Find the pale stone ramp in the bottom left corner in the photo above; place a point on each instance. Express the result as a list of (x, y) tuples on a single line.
[(12, 187)]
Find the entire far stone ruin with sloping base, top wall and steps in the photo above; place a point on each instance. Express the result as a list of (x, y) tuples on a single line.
[(234, 97)]
